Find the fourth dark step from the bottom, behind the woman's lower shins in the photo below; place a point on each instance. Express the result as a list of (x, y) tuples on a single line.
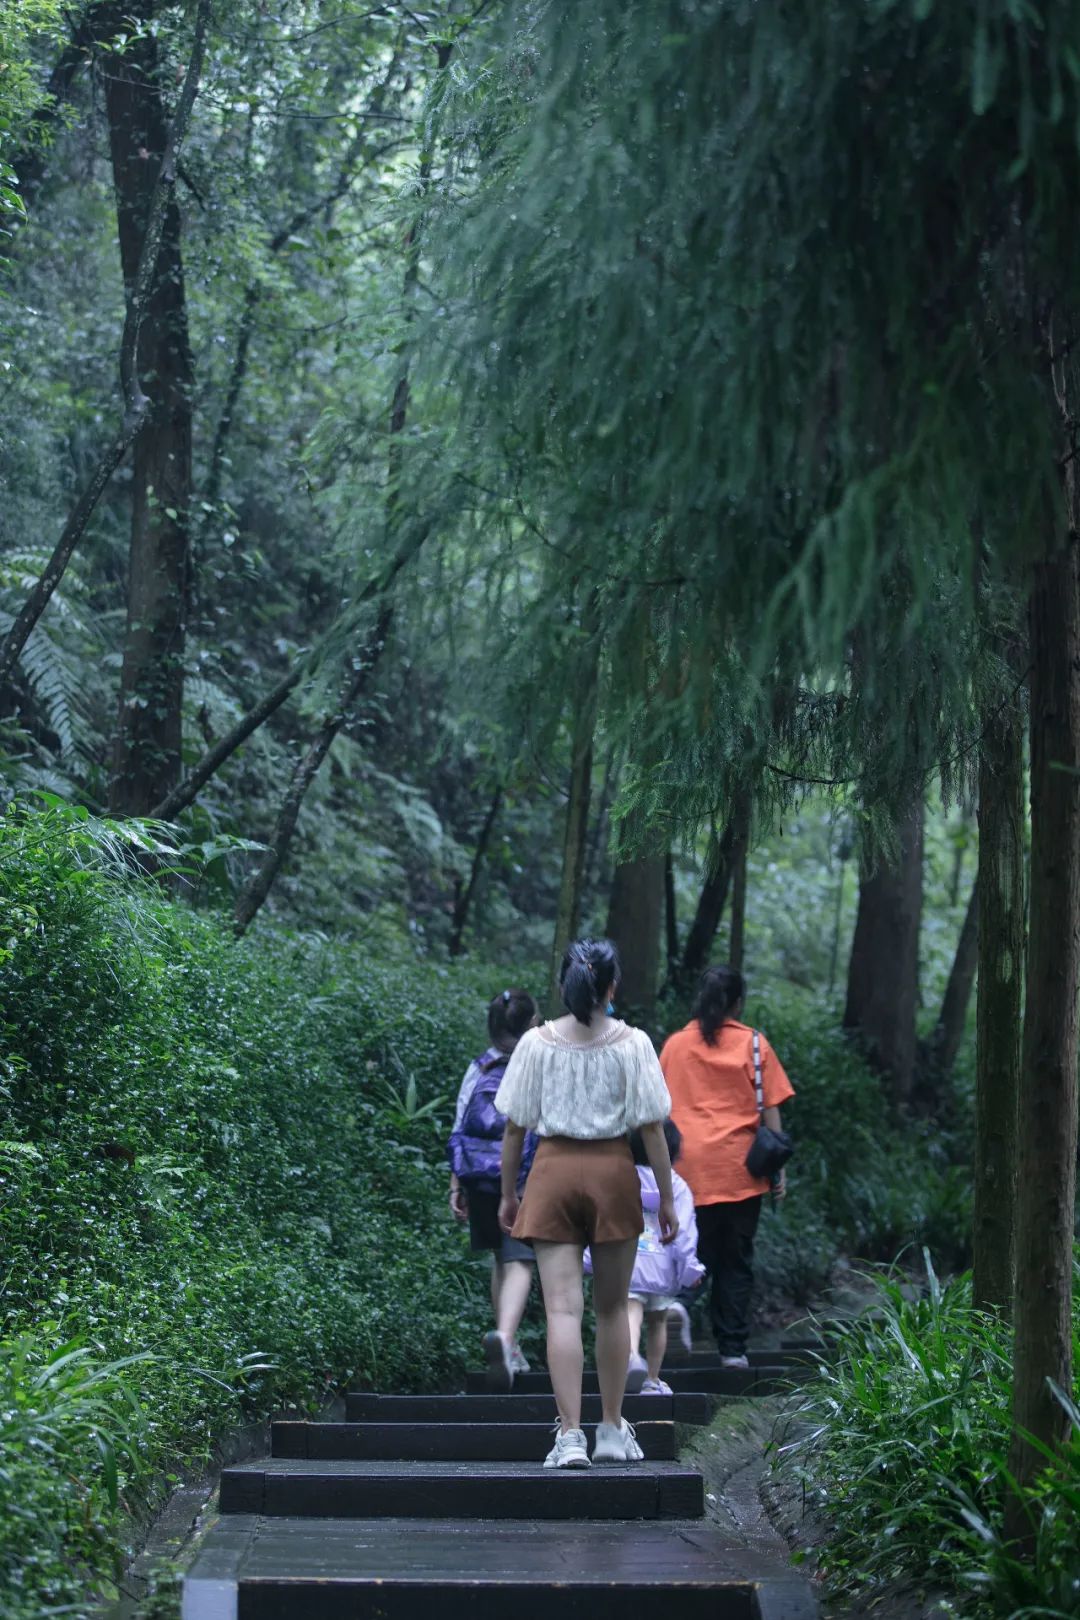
[(360, 1407)]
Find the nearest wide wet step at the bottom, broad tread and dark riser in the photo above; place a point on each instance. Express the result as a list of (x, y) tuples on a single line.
[(407, 1571)]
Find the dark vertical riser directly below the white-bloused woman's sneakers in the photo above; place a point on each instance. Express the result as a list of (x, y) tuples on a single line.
[(593, 1494)]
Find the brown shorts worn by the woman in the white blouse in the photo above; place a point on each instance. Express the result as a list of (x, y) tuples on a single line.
[(580, 1192)]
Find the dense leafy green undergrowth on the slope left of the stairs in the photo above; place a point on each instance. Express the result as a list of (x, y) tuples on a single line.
[(221, 1192)]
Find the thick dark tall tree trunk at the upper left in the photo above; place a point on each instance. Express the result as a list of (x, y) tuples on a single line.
[(150, 733)]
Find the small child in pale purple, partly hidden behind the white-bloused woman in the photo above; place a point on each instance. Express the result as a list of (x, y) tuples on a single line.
[(661, 1271)]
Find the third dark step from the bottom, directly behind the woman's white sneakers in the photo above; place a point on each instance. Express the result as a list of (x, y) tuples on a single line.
[(443, 1443)]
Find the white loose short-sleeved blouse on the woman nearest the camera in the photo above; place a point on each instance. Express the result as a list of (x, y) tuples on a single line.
[(592, 1089)]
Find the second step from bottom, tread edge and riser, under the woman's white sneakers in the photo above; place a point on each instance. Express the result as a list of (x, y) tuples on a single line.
[(498, 1491)]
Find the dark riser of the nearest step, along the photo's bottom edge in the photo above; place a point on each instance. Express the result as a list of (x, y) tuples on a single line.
[(325, 1601)]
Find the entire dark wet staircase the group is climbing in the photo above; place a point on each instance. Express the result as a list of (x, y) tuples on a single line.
[(423, 1506)]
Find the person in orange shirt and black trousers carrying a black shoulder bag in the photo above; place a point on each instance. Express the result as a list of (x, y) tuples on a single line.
[(710, 1072)]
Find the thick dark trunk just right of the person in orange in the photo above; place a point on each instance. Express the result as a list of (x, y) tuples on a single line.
[(883, 973)]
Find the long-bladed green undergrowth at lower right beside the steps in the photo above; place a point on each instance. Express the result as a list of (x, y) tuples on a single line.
[(903, 1443)]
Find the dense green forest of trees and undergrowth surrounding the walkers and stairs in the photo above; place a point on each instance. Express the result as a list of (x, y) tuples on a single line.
[(472, 477)]
